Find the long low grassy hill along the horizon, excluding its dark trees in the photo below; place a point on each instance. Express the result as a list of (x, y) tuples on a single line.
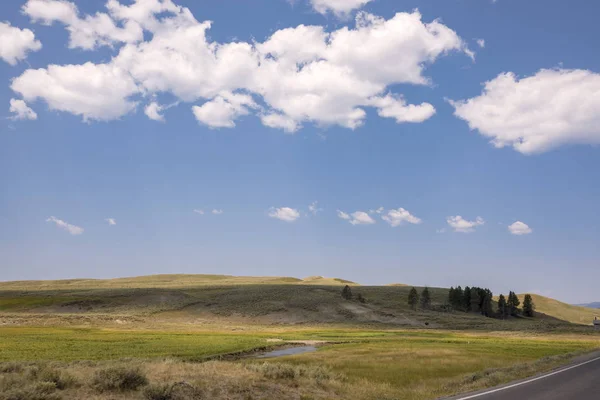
[(268, 300)]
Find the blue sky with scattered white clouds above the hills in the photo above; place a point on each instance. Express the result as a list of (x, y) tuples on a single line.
[(279, 105)]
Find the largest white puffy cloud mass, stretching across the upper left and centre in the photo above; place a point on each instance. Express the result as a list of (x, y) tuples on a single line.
[(298, 75)]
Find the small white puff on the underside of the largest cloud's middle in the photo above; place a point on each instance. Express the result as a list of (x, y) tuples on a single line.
[(223, 110)]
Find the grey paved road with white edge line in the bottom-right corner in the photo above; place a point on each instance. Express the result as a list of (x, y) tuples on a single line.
[(579, 381)]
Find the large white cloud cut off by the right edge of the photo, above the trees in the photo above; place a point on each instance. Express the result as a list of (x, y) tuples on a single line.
[(536, 113)]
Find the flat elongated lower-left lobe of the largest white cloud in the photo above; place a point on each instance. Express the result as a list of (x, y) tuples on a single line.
[(94, 91)]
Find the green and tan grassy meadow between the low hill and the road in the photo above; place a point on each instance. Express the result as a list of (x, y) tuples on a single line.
[(359, 363)]
